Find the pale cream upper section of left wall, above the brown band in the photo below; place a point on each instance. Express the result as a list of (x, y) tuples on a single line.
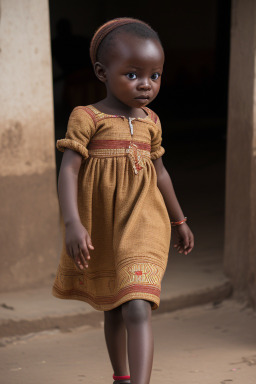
[(26, 113)]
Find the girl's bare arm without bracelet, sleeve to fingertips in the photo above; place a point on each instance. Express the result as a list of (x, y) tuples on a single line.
[(78, 241)]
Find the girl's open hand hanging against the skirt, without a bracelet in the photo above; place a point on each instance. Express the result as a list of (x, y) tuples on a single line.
[(78, 243)]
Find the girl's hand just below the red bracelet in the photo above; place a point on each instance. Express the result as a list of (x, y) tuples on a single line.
[(183, 238)]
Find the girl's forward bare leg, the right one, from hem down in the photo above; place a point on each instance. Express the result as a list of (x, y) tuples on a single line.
[(137, 318)]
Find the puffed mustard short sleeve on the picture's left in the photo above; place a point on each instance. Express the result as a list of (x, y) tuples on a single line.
[(80, 129)]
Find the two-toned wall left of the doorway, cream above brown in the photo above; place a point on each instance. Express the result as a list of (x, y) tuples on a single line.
[(29, 233)]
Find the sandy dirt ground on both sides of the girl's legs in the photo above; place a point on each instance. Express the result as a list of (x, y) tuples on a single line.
[(201, 345)]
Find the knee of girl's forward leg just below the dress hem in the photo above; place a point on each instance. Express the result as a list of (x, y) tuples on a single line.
[(136, 311)]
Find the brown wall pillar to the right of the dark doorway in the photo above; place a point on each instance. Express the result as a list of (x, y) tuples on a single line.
[(240, 226)]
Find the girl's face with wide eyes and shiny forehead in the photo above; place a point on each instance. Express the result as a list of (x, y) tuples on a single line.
[(133, 70)]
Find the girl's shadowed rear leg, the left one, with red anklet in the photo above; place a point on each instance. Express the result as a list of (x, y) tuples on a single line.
[(115, 335)]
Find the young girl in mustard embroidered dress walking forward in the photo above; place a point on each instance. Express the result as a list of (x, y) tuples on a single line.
[(117, 199)]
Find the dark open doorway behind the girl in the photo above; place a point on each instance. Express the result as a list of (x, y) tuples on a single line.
[(192, 103)]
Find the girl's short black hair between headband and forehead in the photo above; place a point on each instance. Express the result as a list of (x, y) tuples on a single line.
[(136, 29)]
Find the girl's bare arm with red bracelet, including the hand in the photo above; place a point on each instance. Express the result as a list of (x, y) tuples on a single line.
[(183, 237)]
